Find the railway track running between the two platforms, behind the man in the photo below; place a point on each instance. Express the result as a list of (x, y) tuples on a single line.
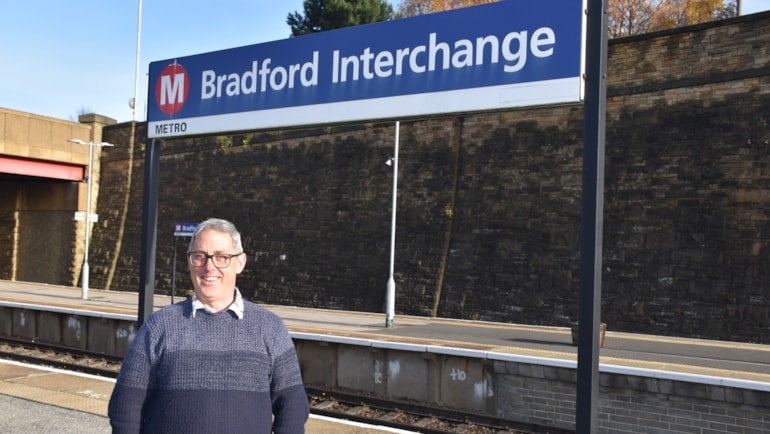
[(327, 402)]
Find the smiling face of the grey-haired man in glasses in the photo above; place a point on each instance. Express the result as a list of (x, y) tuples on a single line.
[(214, 286)]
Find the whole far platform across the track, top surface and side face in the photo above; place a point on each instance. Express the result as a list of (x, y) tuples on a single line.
[(514, 372)]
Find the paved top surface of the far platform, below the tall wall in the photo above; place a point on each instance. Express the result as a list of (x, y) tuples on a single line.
[(721, 359)]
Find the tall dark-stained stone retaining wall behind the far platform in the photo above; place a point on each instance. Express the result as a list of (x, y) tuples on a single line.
[(489, 204)]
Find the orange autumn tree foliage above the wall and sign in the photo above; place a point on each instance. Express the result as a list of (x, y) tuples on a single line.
[(626, 17)]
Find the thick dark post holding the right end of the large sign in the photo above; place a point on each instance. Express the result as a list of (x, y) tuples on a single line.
[(589, 314)]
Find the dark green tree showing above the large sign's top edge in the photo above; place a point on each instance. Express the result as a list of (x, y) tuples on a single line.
[(322, 15)]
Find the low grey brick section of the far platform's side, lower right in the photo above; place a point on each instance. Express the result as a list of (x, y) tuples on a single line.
[(660, 403)]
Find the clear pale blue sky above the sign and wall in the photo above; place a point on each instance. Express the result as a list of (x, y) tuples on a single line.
[(60, 59)]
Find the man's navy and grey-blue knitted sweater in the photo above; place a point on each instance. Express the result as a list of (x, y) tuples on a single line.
[(210, 373)]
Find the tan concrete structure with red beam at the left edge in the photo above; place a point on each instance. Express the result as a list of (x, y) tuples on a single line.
[(43, 183)]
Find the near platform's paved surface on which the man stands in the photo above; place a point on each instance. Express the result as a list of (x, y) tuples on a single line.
[(42, 400)]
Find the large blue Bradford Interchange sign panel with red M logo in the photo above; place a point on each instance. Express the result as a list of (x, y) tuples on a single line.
[(495, 56)]
